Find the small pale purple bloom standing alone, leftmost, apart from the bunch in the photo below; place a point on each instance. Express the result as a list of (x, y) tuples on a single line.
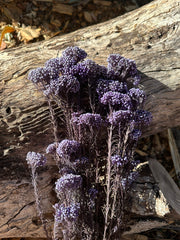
[(35, 159)]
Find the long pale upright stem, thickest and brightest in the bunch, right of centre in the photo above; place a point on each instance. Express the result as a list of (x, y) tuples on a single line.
[(108, 183)]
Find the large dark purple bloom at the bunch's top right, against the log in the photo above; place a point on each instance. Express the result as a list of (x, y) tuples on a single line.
[(123, 68)]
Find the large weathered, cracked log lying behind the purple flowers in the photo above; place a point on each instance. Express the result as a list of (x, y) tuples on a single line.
[(149, 35)]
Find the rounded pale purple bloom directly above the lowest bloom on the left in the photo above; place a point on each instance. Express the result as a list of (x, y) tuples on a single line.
[(68, 182)]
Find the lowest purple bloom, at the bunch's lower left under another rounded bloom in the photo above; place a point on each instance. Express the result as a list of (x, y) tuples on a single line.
[(66, 213)]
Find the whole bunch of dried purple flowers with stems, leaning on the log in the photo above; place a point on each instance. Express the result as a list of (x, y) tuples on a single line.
[(100, 104)]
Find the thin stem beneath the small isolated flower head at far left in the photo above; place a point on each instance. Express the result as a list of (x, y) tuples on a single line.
[(38, 203)]
